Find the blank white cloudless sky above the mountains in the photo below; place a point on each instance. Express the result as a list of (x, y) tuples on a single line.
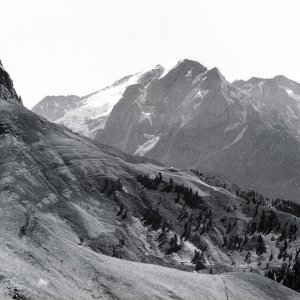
[(63, 47)]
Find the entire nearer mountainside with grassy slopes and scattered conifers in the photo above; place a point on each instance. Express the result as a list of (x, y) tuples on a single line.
[(69, 203)]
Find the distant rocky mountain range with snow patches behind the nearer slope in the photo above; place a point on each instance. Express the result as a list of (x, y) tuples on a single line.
[(187, 116)]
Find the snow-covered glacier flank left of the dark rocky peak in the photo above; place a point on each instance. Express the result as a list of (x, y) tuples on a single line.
[(87, 115)]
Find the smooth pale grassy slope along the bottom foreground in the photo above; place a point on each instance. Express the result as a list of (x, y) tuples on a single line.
[(61, 269)]
